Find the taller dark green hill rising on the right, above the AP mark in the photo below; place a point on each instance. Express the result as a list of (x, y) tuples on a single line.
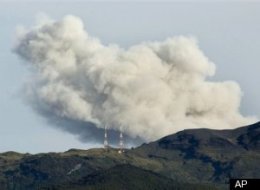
[(204, 155)]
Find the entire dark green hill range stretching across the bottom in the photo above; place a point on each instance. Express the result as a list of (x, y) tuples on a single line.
[(191, 159)]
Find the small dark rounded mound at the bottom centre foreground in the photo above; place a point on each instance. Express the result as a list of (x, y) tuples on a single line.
[(128, 177)]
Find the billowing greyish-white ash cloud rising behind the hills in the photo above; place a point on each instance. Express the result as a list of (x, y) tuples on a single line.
[(150, 90)]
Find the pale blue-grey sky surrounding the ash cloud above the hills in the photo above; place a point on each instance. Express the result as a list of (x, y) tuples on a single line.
[(228, 33)]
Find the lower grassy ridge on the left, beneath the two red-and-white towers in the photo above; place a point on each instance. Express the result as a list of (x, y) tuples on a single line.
[(53, 169)]
